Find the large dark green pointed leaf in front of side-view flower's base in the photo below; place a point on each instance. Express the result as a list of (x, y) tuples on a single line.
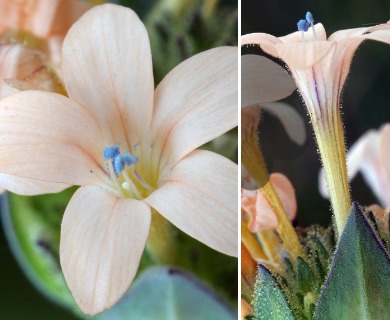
[(358, 284)]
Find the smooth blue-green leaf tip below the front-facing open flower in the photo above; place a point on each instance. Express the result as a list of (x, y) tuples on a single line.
[(169, 294)]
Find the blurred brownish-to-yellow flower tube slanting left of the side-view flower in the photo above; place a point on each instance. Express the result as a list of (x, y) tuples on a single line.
[(253, 160)]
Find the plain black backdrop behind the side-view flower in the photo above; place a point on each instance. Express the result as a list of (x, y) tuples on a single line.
[(365, 101)]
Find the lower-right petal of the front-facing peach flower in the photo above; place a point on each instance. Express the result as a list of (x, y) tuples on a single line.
[(200, 197)]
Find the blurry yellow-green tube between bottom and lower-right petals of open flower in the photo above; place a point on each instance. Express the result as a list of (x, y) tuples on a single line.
[(161, 243)]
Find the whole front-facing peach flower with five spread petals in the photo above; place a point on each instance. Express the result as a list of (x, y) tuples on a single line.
[(130, 148)]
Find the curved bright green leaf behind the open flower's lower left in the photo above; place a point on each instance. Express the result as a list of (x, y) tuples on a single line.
[(32, 228)]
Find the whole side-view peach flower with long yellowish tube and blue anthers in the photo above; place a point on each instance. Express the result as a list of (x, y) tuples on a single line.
[(320, 66)]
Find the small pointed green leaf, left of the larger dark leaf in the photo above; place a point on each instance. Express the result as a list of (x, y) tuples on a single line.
[(269, 302)]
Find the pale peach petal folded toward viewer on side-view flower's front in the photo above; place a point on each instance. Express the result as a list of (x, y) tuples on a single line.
[(302, 55)]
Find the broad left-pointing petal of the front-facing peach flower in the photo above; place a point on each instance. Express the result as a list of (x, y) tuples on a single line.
[(47, 137)]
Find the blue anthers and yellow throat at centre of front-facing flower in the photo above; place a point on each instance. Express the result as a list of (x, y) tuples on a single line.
[(124, 174)]
